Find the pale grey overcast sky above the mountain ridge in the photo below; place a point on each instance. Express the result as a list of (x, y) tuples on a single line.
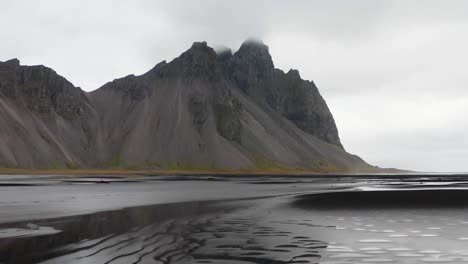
[(394, 73)]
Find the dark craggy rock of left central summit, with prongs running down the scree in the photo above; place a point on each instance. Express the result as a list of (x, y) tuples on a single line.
[(201, 65)]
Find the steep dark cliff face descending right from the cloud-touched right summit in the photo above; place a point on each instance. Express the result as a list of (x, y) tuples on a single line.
[(251, 69)]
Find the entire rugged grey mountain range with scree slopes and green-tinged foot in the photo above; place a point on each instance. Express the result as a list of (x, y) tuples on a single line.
[(203, 110)]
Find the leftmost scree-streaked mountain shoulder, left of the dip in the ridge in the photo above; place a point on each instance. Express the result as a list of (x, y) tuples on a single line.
[(44, 119)]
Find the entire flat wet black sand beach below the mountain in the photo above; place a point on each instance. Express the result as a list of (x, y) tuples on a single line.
[(367, 219)]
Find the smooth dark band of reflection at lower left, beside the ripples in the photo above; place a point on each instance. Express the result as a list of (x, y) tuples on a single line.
[(90, 232)]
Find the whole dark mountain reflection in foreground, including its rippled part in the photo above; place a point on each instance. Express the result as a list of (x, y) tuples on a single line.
[(177, 233)]
